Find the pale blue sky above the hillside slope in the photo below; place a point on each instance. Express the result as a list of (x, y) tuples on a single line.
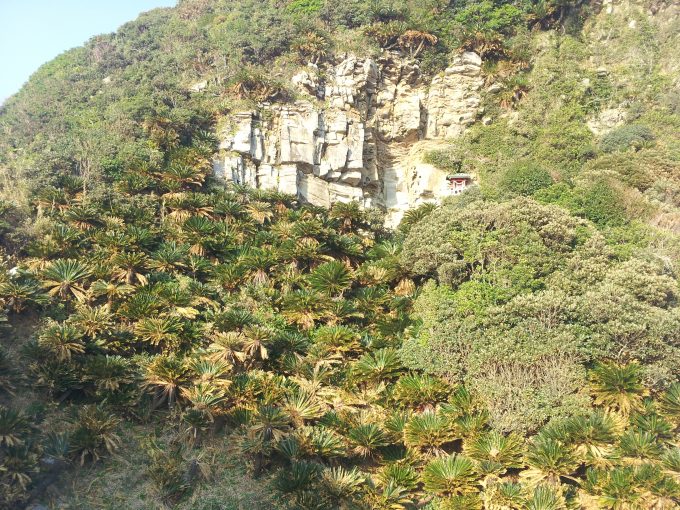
[(33, 32)]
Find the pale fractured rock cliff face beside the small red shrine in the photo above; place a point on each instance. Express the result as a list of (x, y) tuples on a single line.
[(359, 134)]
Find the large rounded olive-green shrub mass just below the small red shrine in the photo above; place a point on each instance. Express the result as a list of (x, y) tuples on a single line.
[(527, 298)]
